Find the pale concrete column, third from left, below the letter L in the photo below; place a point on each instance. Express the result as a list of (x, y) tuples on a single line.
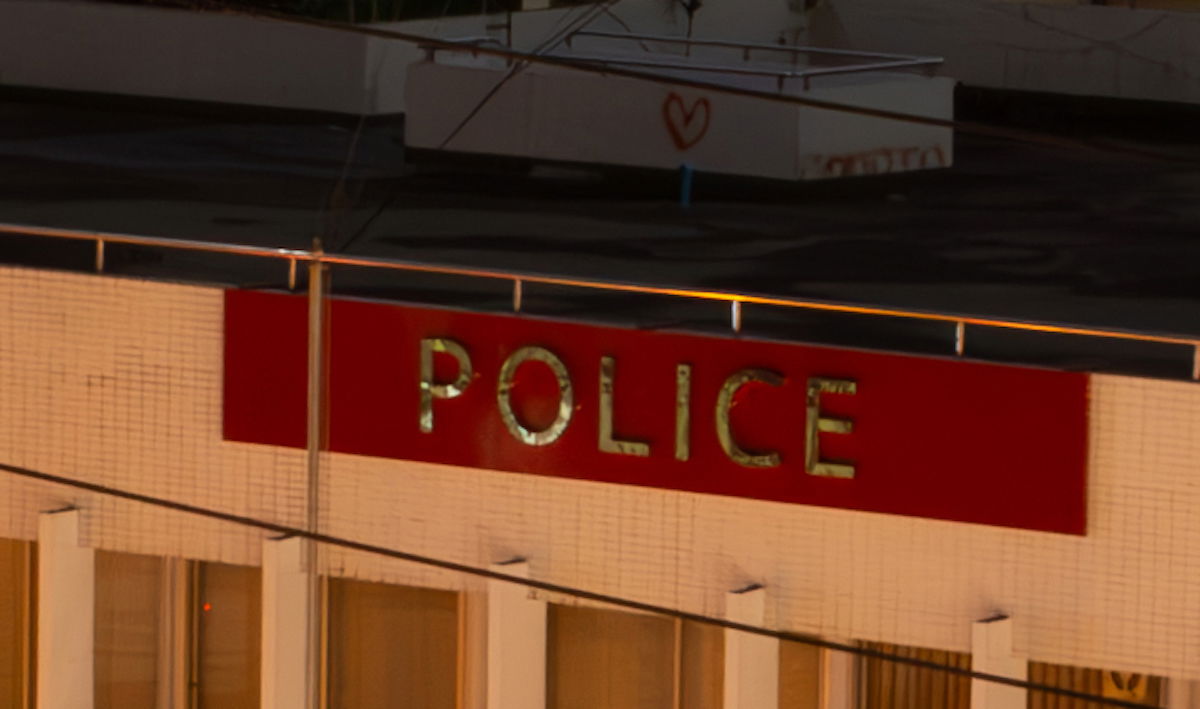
[(517, 644)]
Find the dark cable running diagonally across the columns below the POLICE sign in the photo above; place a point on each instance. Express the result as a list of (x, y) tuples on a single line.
[(555, 588)]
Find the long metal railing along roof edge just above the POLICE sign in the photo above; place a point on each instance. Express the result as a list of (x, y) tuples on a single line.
[(736, 301)]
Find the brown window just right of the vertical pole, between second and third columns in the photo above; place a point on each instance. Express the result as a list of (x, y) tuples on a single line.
[(392, 646)]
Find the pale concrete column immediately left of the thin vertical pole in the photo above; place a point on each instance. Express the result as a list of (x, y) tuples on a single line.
[(286, 590)]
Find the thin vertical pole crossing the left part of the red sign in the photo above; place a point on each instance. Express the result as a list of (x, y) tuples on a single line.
[(319, 286)]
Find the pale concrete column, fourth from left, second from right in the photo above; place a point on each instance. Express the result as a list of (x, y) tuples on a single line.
[(752, 662)]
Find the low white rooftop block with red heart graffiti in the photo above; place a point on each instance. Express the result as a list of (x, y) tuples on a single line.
[(554, 115)]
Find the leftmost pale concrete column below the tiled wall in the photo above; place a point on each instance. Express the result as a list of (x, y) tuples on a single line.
[(67, 614)]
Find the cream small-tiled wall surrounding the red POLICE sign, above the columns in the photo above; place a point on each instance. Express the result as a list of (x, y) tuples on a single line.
[(119, 382)]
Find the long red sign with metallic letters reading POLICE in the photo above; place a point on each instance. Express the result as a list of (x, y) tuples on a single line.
[(940, 438)]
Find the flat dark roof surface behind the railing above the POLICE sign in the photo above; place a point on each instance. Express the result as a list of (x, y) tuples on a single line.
[(1012, 231)]
